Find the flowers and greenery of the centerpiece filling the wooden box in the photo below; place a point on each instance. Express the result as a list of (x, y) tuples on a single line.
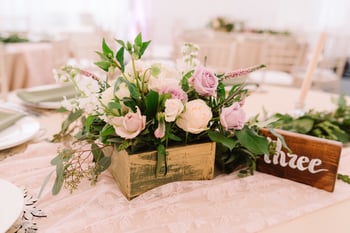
[(139, 105)]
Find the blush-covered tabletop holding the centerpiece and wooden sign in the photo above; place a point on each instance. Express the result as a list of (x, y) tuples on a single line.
[(258, 203)]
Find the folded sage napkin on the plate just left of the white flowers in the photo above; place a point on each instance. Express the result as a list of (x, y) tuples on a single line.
[(47, 95)]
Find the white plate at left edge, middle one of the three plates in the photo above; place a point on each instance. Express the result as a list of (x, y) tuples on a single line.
[(22, 131)]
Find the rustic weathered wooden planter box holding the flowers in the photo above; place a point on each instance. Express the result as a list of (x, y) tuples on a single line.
[(135, 174)]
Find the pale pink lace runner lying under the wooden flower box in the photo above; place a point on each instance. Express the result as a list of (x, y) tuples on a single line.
[(224, 204)]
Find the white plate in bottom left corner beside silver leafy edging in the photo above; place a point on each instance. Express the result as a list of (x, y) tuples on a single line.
[(11, 204)]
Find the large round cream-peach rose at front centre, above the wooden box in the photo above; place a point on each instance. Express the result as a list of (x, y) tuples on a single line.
[(196, 117)]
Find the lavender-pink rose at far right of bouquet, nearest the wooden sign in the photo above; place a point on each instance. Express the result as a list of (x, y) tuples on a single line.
[(232, 117)]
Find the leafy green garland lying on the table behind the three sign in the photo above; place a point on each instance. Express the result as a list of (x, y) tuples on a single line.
[(333, 125)]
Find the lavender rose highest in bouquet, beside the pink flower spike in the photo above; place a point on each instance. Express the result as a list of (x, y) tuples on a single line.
[(204, 81)]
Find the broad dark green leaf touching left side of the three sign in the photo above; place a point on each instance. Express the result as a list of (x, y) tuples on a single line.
[(255, 143)]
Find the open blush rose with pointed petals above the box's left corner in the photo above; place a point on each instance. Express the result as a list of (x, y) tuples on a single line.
[(130, 125)]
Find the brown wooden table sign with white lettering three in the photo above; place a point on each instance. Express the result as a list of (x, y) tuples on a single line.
[(312, 161)]
